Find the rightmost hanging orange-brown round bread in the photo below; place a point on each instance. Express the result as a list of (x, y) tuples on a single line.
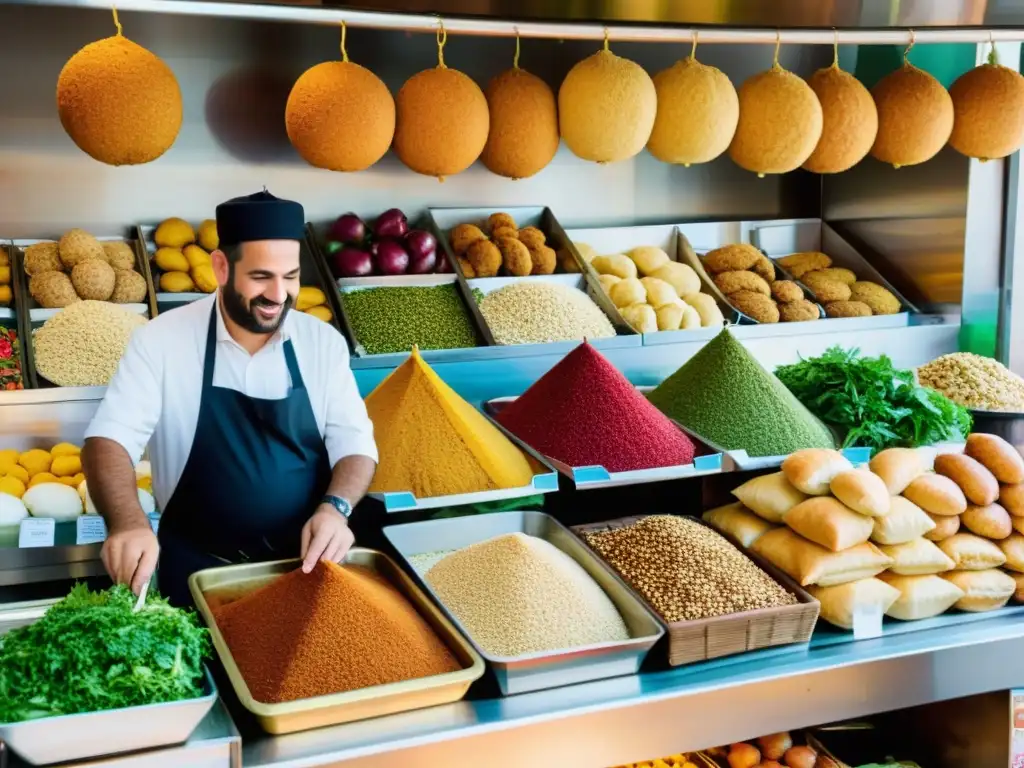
[(989, 111)]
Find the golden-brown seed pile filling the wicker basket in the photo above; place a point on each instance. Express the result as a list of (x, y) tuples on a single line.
[(687, 571)]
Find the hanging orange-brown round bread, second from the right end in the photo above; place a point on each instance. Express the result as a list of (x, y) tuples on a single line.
[(916, 117)]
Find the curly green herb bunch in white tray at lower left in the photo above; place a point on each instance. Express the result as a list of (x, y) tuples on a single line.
[(91, 653)]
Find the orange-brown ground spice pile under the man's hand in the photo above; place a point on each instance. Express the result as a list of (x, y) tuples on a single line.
[(337, 629)]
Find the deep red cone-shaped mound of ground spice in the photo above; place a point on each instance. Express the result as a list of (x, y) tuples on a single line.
[(585, 413)]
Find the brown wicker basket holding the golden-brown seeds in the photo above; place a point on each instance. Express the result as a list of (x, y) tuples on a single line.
[(704, 639)]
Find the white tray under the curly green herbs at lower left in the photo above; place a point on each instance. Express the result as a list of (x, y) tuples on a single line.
[(69, 738)]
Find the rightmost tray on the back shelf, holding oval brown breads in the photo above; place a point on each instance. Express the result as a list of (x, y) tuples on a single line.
[(779, 239)]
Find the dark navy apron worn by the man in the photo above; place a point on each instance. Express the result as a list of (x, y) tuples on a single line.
[(255, 475)]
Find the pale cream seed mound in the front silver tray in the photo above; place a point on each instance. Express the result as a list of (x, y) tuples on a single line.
[(518, 594)]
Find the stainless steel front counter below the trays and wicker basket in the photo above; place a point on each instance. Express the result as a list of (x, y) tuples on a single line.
[(660, 713)]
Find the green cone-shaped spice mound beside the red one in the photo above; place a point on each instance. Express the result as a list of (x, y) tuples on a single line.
[(724, 396)]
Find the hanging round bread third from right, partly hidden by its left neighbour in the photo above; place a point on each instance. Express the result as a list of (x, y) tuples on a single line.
[(849, 120)]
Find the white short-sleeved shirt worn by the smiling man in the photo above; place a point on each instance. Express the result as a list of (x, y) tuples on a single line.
[(155, 396)]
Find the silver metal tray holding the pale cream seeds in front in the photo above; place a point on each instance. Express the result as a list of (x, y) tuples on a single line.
[(547, 669)]
